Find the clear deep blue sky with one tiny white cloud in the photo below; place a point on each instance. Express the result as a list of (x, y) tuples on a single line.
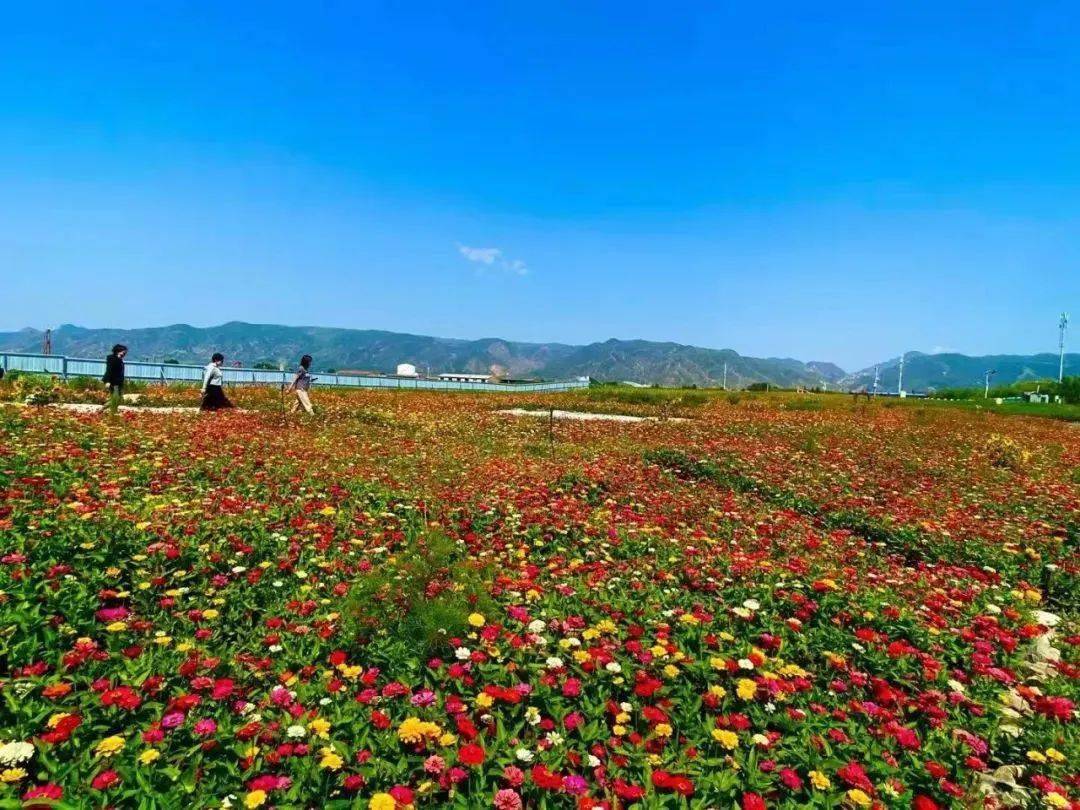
[(828, 182)]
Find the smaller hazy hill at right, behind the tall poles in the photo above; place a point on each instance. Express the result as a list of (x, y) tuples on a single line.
[(930, 372)]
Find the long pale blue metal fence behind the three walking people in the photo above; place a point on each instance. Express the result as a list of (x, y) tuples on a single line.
[(65, 368)]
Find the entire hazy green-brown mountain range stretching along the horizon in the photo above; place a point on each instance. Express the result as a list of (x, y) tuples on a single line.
[(638, 361)]
